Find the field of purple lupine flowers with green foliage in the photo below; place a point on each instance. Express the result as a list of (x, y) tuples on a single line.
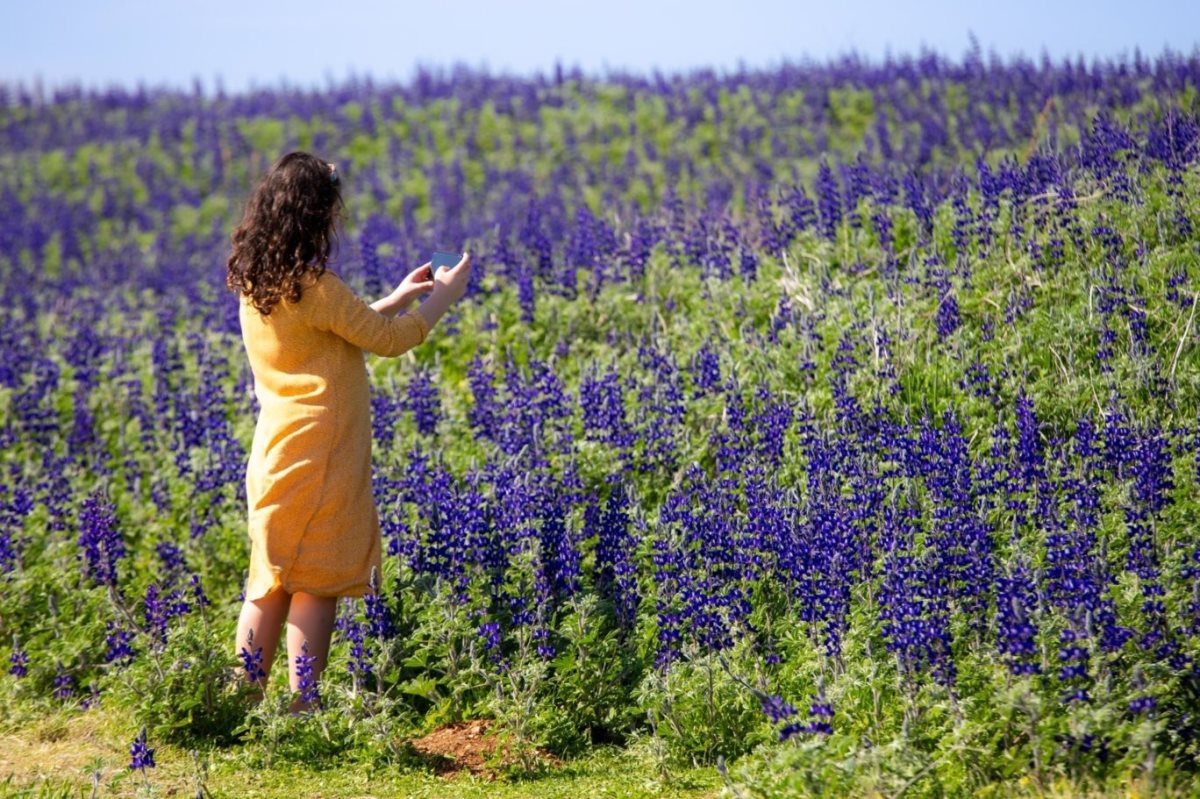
[(837, 426)]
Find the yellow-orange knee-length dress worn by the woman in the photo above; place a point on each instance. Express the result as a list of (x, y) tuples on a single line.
[(314, 525)]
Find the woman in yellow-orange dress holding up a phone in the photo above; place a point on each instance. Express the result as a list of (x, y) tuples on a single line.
[(313, 521)]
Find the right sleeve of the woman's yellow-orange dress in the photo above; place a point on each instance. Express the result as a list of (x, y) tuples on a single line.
[(340, 311)]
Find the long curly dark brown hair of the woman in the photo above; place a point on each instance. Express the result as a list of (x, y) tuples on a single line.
[(287, 231)]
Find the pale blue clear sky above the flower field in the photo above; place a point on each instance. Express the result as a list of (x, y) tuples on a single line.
[(249, 44)]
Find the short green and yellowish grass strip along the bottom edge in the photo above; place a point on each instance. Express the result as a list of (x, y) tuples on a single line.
[(62, 754)]
